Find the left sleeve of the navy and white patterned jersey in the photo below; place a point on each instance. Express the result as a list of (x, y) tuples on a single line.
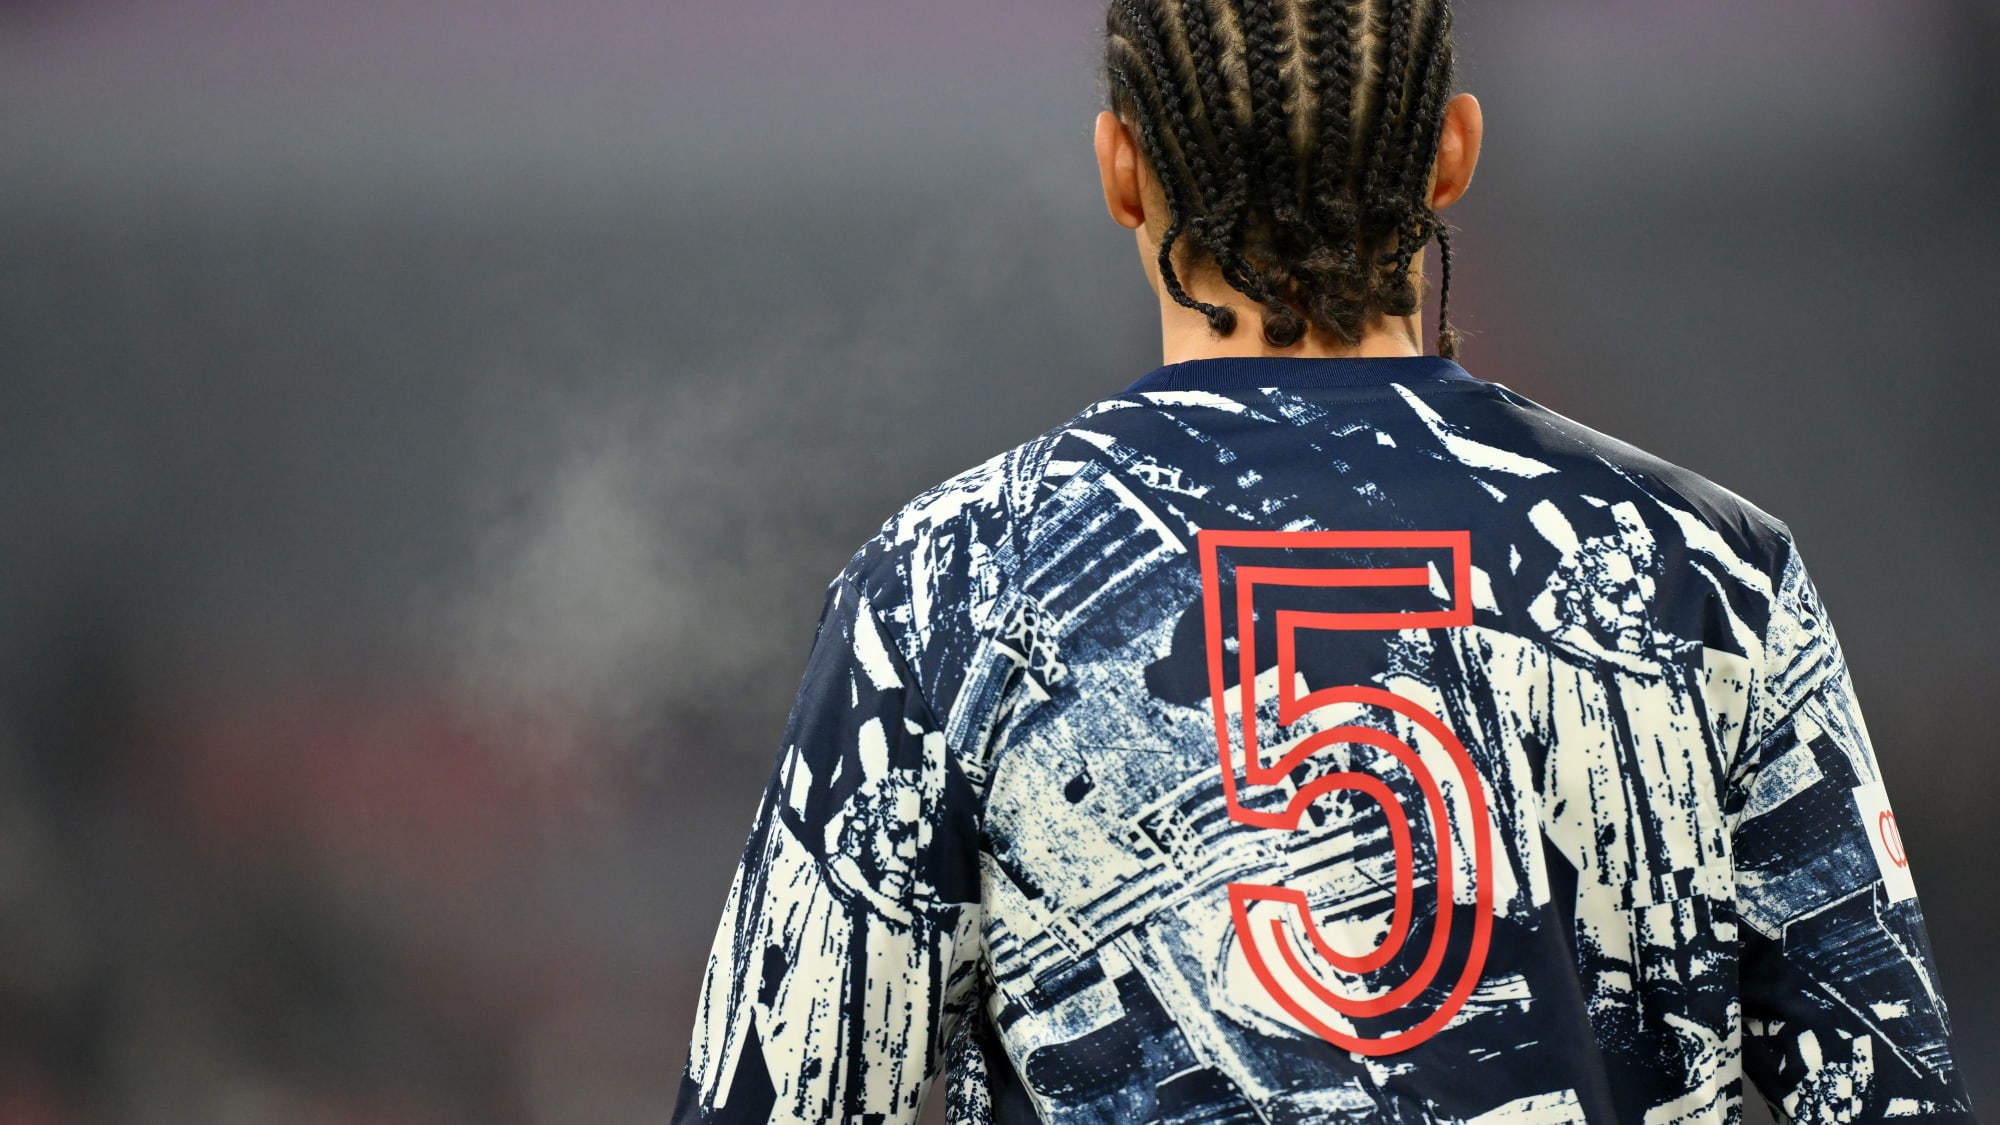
[(849, 944)]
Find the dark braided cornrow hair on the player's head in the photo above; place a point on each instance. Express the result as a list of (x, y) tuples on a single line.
[(1295, 143)]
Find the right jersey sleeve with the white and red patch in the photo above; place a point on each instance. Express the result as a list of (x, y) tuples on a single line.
[(1843, 1014)]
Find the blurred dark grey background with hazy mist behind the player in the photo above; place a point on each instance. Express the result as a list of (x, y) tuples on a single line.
[(427, 431)]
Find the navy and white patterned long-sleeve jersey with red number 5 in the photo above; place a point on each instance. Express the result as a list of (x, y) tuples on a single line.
[(1325, 742)]
